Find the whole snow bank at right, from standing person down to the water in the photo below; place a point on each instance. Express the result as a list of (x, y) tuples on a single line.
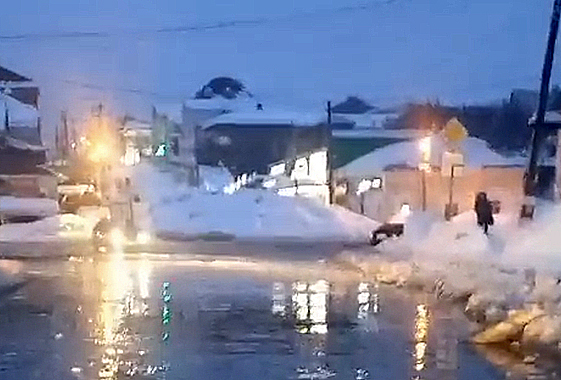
[(510, 280)]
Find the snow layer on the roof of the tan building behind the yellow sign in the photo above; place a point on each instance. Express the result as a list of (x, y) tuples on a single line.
[(476, 154)]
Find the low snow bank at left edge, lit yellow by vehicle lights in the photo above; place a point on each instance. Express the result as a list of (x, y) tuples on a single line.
[(54, 228)]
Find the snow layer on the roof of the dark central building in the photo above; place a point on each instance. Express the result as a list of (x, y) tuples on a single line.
[(267, 117)]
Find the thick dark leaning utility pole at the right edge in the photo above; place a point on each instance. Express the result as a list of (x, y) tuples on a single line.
[(531, 176)]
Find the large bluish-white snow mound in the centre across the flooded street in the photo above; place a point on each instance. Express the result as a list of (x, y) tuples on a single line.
[(246, 214)]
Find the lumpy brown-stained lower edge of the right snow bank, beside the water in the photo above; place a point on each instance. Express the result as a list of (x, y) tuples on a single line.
[(502, 301)]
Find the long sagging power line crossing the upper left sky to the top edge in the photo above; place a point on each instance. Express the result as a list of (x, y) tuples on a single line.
[(227, 24)]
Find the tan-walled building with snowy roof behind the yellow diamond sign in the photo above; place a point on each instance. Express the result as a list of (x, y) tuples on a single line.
[(381, 183)]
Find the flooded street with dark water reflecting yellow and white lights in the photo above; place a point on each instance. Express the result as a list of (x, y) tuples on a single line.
[(149, 316)]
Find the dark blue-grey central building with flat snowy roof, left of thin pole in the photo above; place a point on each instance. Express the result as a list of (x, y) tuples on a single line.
[(249, 141)]
